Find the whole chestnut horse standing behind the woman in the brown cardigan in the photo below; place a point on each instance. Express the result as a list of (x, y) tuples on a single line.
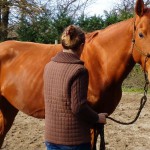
[(109, 56)]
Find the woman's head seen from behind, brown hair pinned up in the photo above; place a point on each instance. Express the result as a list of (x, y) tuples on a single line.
[(72, 38)]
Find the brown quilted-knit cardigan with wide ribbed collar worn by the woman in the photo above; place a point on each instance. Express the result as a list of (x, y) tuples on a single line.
[(67, 115)]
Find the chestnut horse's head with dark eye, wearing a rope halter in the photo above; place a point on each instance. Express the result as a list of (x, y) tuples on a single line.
[(141, 36)]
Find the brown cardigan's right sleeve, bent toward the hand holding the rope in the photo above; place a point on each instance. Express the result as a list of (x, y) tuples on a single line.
[(79, 105)]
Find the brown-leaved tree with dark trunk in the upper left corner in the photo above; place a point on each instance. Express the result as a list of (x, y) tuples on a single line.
[(11, 10)]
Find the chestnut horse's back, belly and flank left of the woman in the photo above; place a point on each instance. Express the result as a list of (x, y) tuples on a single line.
[(22, 66)]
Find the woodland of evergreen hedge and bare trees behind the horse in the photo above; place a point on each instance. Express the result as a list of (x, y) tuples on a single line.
[(44, 20)]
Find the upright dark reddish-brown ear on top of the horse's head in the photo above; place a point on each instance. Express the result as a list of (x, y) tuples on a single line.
[(139, 8)]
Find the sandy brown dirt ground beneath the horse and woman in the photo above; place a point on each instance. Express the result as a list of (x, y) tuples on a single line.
[(27, 132)]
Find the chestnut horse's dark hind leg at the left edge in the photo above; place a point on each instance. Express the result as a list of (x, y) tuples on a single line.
[(7, 116)]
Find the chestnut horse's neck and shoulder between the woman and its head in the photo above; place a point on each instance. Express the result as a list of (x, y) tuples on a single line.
[(108, 56)]
